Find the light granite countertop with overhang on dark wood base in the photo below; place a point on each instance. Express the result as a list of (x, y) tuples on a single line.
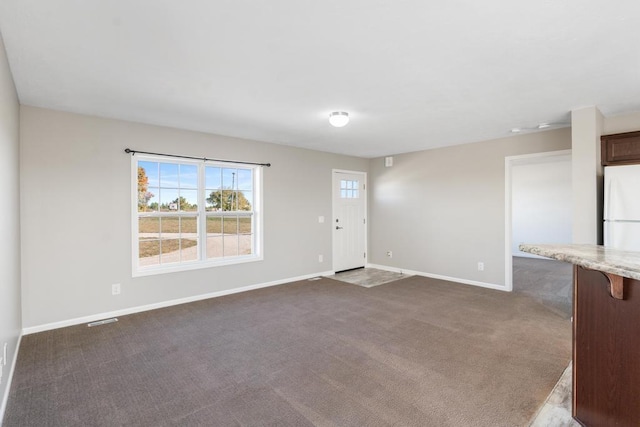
[(594, 257)]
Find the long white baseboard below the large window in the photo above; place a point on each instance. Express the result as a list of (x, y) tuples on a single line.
[(138, 309)]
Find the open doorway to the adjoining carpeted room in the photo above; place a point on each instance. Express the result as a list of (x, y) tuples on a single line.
[(538, 210)]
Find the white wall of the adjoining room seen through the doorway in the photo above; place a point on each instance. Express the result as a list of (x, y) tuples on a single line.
[(541, 202)]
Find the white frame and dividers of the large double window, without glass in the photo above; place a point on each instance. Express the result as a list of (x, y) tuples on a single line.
[(201, 214)]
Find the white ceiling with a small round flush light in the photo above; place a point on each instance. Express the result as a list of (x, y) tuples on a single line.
[(413, 74)]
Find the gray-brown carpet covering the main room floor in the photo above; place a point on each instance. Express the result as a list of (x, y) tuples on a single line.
[(416, 352)]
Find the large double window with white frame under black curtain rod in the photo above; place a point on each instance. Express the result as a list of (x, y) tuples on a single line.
[(193, 214)]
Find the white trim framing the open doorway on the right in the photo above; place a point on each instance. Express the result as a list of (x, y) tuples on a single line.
[(509, 162)]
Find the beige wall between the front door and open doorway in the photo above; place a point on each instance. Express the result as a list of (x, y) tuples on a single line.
[(442, 211)]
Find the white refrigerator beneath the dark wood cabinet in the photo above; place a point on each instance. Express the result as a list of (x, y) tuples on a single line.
[(622, 207)]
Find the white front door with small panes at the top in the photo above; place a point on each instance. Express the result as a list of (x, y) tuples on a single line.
[(349, 220)]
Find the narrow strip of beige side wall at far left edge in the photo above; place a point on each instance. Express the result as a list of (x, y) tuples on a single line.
[(10, 317)]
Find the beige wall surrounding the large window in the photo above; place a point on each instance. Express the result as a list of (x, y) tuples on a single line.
[(76, 214)]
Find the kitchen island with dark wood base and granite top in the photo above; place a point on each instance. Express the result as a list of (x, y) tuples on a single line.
[(606, 332)]
